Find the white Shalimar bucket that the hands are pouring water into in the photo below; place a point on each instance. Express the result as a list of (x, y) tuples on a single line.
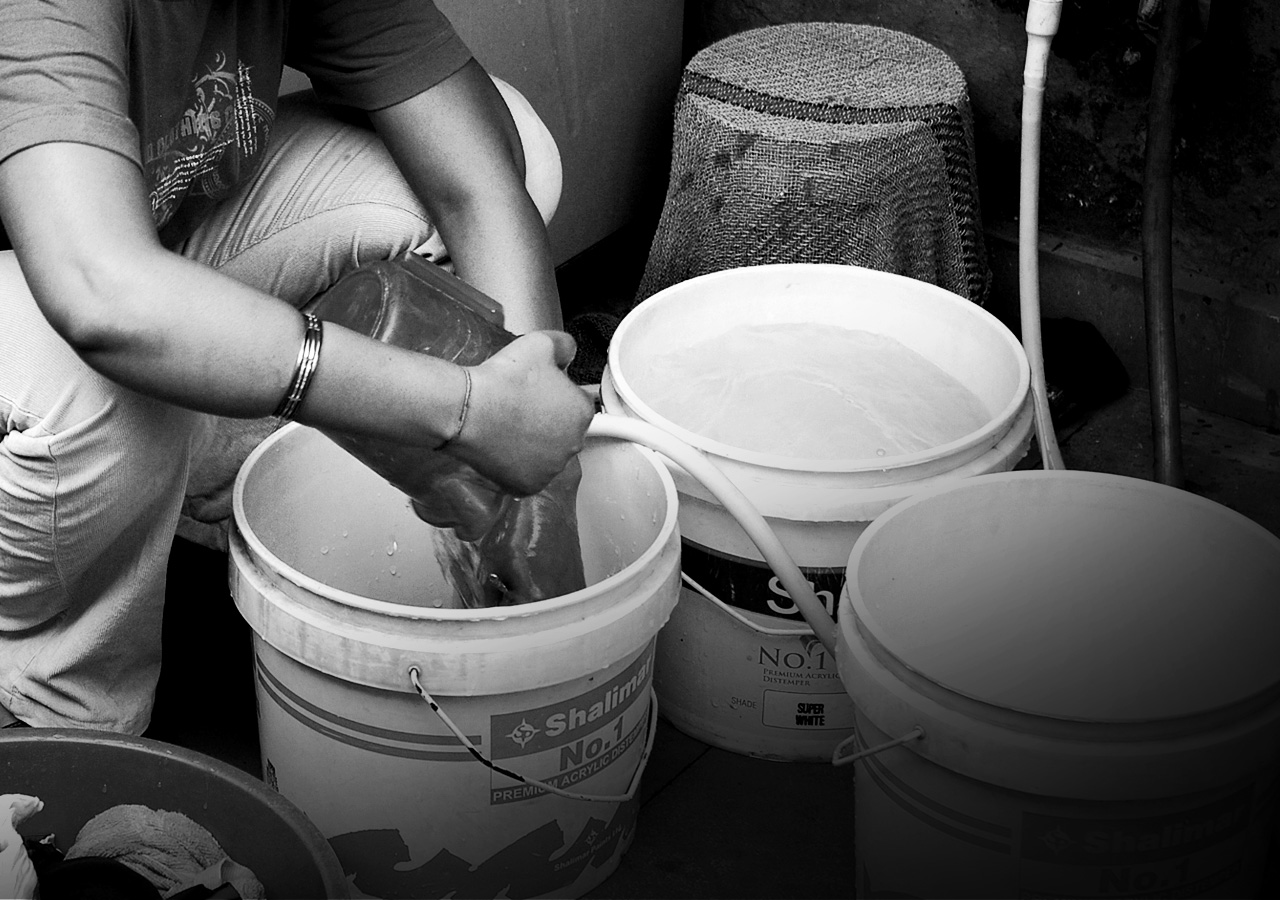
[(333, 573)]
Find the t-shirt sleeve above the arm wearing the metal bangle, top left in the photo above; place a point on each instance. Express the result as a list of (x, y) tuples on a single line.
[(63, 76)]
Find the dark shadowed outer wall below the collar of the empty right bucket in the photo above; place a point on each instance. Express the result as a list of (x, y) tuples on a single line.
[(989, 842)]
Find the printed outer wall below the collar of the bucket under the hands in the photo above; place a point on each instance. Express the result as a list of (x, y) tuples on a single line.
[(499, 837)]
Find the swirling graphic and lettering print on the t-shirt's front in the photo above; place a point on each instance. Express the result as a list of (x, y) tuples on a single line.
[(216, 144)]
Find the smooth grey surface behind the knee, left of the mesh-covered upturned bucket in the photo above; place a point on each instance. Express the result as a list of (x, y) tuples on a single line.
[(604, 77)]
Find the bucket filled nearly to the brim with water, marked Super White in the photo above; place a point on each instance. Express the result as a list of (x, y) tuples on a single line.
[(739, 666)]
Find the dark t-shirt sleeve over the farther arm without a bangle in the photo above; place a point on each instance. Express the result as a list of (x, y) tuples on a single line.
[(372, 54)]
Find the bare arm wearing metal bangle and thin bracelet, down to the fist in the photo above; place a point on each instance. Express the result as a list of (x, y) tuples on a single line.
[(172, 328)]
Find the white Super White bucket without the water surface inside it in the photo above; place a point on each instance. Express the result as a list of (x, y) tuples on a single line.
[(738, 666)]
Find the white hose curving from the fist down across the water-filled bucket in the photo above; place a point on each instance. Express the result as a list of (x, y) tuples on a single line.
[(737, 505)]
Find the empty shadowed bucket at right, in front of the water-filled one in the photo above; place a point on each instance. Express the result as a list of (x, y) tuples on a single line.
[(1092, 661)]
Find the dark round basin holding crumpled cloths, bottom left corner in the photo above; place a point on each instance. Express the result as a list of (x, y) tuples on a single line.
[(79, 774)]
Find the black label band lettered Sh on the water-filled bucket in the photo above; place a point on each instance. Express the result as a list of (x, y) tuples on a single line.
[(752, 586)]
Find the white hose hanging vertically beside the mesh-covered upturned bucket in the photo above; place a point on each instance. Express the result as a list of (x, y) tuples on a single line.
[(1043, 19)]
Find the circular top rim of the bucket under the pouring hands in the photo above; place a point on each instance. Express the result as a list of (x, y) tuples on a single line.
[(403, 611)]
